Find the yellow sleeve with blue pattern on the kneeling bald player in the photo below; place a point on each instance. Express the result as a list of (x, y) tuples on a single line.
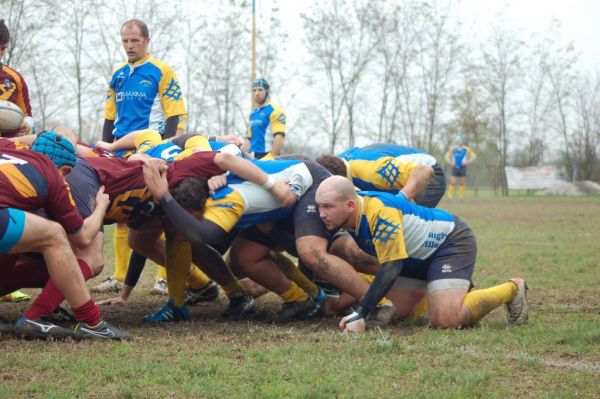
[(386, 231)]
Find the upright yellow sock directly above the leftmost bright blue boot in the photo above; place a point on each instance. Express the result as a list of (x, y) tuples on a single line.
[(179, 259)]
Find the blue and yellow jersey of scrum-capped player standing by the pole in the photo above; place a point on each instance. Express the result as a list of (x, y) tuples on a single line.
[(265, 121)]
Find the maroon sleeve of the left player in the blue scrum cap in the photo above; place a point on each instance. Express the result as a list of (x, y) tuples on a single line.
[(61, 205)]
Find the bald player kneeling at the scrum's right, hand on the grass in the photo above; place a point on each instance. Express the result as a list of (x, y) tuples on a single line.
[(428, 252)]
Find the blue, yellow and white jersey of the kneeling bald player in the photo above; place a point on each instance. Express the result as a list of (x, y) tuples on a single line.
[(392, 228)]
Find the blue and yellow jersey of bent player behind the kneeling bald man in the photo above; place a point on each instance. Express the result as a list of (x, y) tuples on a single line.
[(383, 167)]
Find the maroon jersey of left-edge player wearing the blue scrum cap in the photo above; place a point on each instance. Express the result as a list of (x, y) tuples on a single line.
[(30, 181)]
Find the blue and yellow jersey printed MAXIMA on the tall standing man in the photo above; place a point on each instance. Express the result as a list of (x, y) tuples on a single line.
[(142, 96)]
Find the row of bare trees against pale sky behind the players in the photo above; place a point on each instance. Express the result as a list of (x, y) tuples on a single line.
[(408, 72)]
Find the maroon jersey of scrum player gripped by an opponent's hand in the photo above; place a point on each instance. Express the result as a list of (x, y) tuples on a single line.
[(123, 181)]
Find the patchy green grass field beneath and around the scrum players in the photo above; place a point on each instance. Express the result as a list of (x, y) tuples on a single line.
[(552, 242)]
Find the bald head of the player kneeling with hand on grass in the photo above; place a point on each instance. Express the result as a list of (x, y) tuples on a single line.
[(338, 202)]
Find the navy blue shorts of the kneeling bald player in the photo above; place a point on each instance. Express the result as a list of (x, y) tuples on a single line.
[(450, 266)]
